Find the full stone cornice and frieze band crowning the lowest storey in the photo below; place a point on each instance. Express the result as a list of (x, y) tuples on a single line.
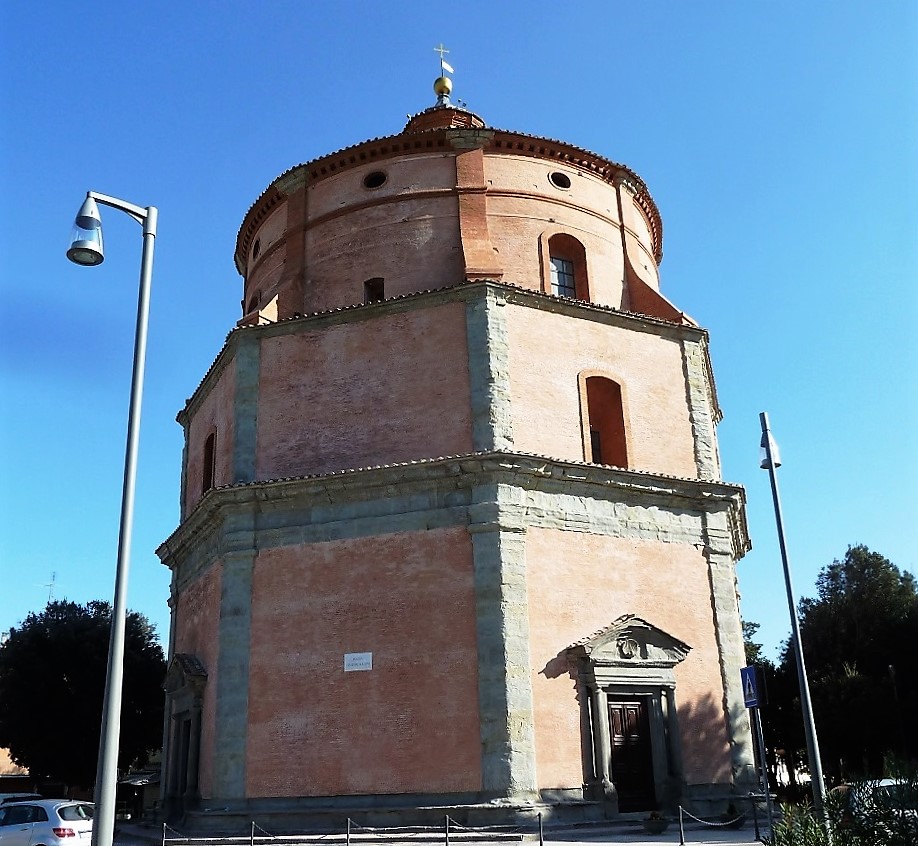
[(515, 487)]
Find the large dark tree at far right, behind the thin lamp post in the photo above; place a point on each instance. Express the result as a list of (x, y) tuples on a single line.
[(859, 637)]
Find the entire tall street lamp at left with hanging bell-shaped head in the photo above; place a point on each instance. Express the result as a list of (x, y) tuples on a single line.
[(86, 249)]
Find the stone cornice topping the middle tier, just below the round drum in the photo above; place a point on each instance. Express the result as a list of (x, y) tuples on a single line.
[(463, 292)]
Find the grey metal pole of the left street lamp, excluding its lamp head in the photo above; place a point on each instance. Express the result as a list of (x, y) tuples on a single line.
[(103, 830)]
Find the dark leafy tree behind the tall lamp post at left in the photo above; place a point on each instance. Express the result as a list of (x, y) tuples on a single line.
[(52, 681)]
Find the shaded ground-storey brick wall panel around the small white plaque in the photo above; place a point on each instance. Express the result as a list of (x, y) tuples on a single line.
[(390, 730)]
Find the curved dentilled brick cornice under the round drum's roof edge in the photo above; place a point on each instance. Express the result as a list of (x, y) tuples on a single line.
[(499, 141)]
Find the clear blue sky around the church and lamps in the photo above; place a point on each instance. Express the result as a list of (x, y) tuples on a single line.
[(778, 139)]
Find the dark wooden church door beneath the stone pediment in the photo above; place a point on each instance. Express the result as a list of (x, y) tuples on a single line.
[(632, 756)]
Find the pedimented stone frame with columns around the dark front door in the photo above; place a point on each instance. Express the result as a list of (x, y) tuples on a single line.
[(631, 658)]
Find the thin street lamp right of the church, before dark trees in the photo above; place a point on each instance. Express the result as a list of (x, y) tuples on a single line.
[(771, 460)]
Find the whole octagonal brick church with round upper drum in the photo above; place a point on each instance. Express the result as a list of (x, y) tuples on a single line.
[(453, 528)]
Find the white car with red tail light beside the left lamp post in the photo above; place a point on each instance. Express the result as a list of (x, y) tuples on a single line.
[(46, 822)]
